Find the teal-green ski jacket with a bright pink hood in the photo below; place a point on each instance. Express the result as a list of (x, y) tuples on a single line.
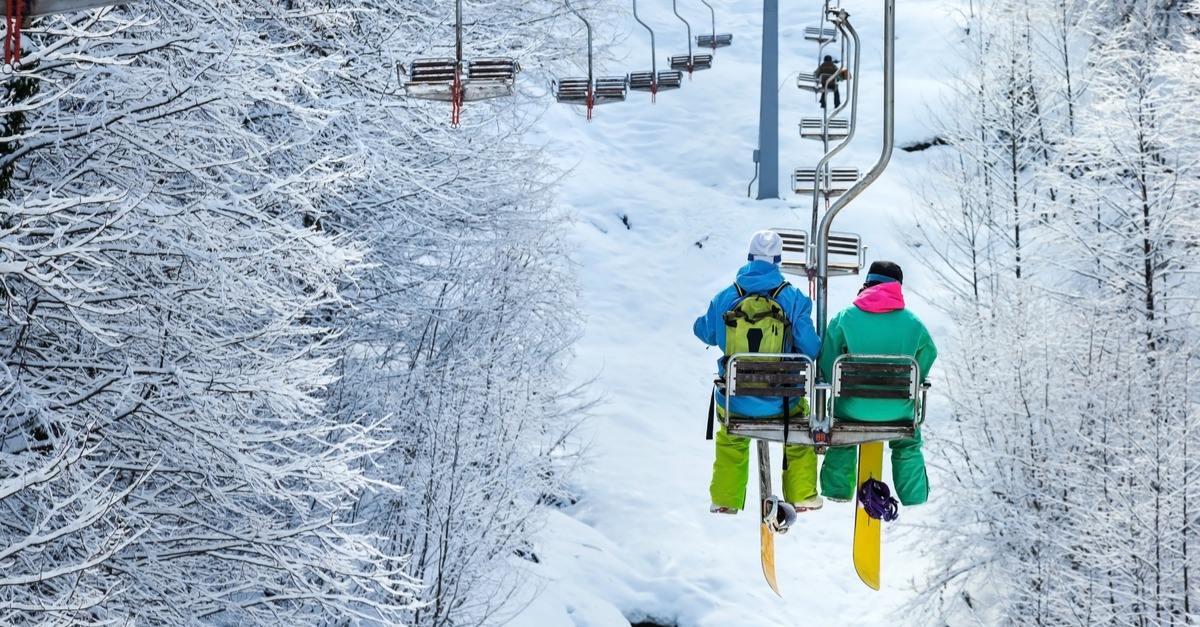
[(877, 324)]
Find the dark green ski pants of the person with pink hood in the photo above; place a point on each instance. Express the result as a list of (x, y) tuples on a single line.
[(839, 474)]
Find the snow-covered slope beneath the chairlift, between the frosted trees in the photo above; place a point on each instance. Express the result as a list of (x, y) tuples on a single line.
[(661, 195)]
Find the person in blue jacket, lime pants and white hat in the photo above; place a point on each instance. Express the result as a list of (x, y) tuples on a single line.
[(733, 465)]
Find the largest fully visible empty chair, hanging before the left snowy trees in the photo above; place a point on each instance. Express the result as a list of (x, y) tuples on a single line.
[(458, 81)]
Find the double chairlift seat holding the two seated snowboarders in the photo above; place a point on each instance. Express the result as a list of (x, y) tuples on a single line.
[(867, 377)]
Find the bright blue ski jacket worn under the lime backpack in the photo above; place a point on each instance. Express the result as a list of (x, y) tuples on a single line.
[(759, 277)]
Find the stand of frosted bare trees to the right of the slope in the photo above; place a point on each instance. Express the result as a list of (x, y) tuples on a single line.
[(1072, 437)]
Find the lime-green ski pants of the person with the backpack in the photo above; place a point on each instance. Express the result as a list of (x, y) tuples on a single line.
[(733, 470)]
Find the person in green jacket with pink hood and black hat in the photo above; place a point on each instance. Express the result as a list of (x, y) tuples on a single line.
[(878, 324)]
